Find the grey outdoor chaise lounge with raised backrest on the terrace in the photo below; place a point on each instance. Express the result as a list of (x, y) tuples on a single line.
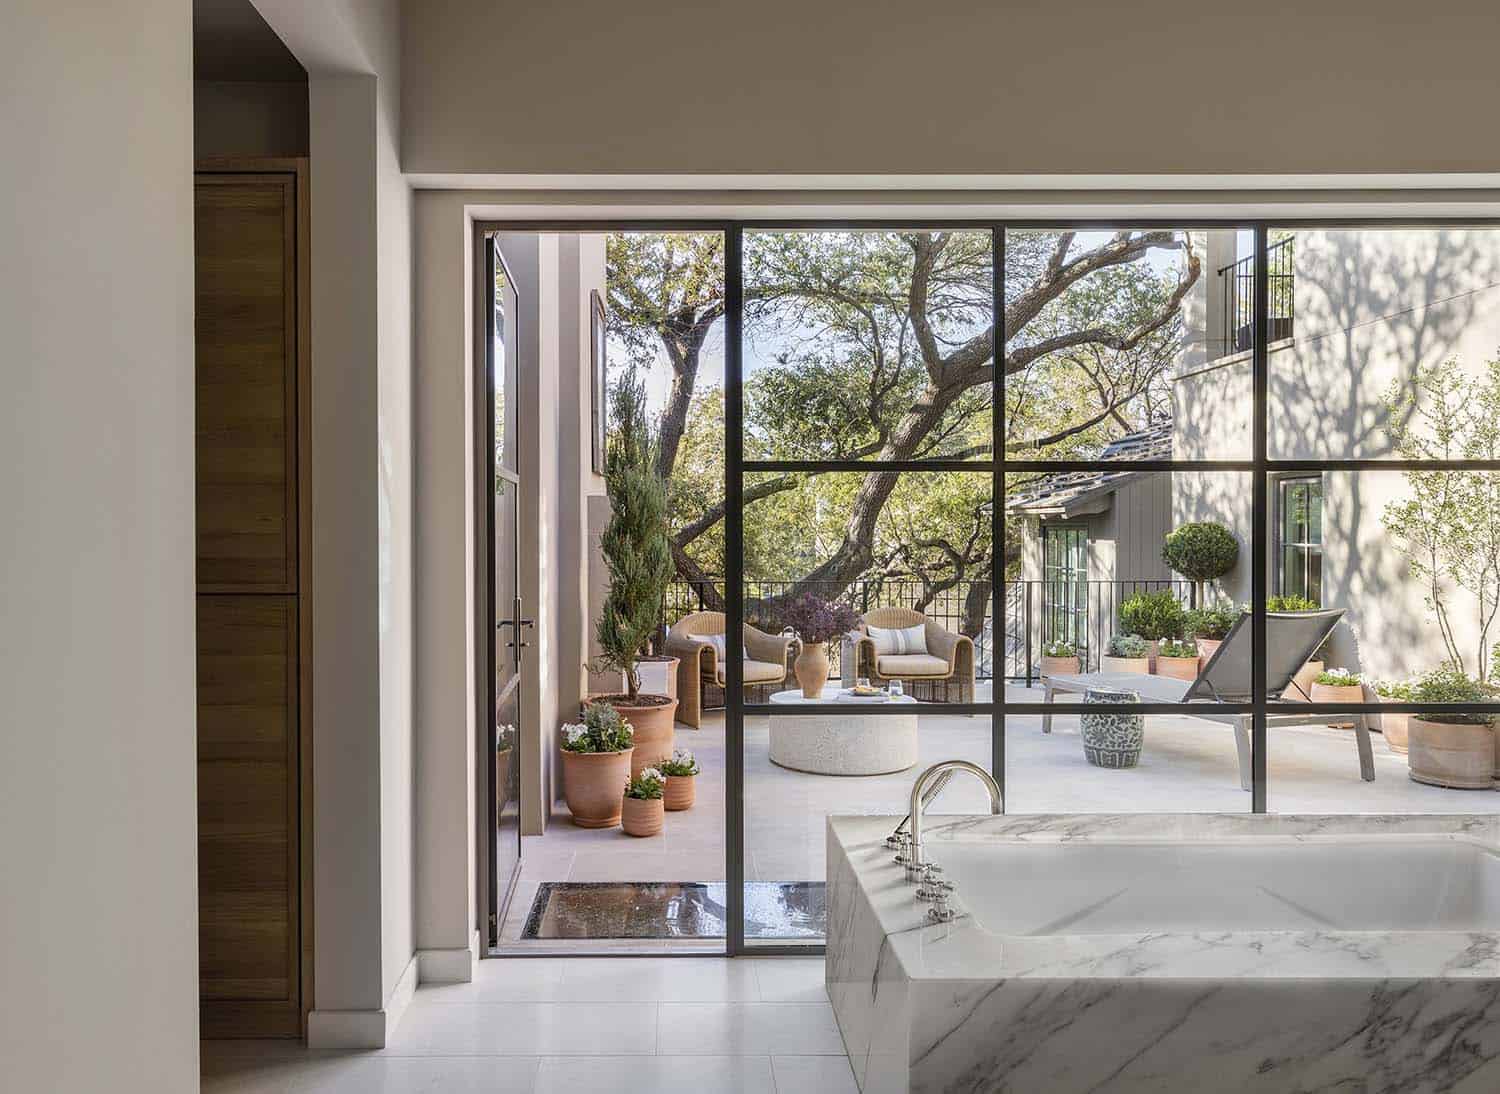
[(1291, 640)]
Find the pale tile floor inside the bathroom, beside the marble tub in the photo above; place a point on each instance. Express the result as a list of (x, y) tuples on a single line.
[(526, 1026)]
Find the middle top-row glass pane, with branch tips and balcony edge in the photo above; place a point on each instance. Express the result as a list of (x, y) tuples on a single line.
[(1126, 346)]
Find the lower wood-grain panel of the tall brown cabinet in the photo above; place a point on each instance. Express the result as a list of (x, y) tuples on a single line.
[(248, 819)]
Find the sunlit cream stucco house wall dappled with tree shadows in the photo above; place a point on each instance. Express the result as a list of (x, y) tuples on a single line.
[(1372, 308)]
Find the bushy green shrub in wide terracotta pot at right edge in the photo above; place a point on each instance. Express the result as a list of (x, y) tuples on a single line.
[(1456, 750)]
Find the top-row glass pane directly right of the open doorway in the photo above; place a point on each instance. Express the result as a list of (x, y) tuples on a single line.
[(868, 344)]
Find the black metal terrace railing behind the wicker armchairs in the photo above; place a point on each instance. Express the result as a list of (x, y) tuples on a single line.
[(1037, 613)]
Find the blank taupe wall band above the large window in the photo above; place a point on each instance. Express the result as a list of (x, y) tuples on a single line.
[(1033, 86)]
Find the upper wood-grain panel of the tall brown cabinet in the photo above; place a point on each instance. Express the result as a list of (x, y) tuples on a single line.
[(247, 343)]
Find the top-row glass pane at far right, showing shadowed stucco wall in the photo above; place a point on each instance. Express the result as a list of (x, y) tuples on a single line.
[(1364, 319)]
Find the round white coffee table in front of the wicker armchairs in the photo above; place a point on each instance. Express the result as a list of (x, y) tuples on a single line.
[(845, 738)]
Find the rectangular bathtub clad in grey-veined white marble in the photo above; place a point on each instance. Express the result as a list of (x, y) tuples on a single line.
[(1172, 954)]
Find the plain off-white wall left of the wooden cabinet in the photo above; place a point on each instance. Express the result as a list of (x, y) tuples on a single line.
[(98, 814)]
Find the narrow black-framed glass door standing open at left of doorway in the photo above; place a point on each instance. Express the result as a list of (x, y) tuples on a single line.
[(505, 625)]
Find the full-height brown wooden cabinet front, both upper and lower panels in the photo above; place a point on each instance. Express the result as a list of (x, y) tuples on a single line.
[(254, 925)]
